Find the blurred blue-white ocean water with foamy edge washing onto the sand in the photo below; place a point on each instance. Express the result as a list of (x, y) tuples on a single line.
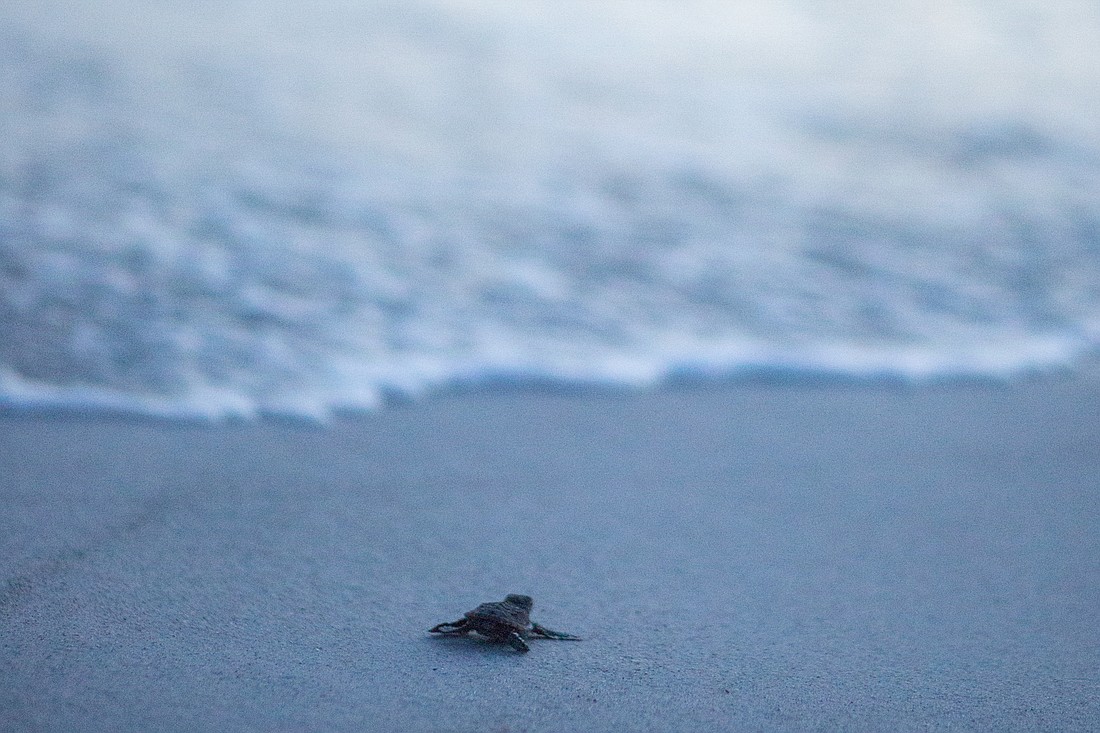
[(269, 207)]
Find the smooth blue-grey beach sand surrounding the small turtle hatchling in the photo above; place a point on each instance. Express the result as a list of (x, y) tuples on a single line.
[(742, 557)]
